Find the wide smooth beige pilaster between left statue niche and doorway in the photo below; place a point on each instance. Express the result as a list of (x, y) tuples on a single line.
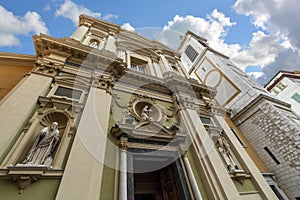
[(83, 172)]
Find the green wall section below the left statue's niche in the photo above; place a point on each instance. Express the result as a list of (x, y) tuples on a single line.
[(44, 189)]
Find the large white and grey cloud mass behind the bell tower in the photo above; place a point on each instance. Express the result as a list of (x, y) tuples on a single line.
[(279, 34)]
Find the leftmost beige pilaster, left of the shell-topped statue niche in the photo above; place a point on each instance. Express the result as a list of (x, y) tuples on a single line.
[(17, 108)]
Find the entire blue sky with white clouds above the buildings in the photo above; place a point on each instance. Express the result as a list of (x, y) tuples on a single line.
[(261, 37)]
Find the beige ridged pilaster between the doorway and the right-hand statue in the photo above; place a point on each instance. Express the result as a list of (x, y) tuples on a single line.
[(219, 182)]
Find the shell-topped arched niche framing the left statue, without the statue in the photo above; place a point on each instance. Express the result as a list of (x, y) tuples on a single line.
[(43, 117)]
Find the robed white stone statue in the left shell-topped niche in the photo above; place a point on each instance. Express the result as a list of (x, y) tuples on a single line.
[(41, 152)]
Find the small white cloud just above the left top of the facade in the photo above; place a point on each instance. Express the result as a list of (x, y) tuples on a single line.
[(71, 10)]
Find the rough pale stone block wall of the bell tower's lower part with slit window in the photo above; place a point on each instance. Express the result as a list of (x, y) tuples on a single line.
[(267, 126)]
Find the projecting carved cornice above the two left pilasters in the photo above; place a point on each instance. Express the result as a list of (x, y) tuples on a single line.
[(96, 61)]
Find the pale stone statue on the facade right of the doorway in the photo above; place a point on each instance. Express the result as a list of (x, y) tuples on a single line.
[(224, 149)]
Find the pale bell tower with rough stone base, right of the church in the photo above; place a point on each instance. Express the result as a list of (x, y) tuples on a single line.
[(268, 123)]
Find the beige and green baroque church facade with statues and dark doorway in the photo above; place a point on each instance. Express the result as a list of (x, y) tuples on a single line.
[(109, 114)]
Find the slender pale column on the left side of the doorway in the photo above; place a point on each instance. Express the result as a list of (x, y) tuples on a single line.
[(123, 170)]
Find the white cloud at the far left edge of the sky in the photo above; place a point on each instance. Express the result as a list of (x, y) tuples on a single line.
[(12, 26)]
